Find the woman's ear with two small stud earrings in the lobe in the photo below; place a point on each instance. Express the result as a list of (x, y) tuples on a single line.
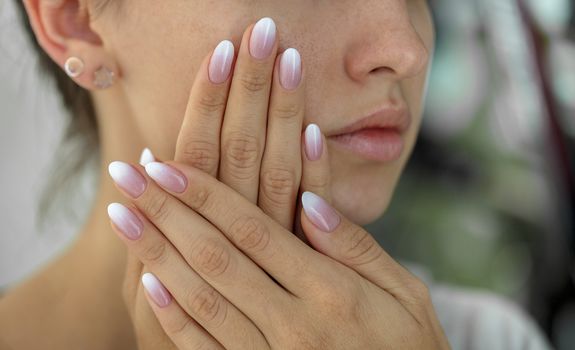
[(63, 29)]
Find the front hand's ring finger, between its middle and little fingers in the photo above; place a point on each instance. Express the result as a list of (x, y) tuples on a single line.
[(210, 309)]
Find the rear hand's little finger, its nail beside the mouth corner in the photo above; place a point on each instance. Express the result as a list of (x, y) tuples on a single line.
[(316, 176)]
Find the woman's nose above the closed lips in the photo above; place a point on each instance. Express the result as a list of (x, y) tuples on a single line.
[(388, 43)]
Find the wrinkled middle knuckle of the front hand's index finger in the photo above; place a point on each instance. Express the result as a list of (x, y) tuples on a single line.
[(250, 234)]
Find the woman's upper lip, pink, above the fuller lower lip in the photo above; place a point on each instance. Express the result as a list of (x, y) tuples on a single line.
[(392, 116)]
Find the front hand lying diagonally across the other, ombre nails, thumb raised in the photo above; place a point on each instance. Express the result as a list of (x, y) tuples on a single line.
[(241, 275)]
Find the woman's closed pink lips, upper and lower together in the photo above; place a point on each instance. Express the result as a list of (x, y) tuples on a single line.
[(379, 136)]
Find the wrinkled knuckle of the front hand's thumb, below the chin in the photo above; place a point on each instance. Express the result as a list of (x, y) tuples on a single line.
[(361, 248)]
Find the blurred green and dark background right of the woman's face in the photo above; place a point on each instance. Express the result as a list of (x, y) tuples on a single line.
[(487, 199)]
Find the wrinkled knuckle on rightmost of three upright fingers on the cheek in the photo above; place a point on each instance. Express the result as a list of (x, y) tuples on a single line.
[(278, 185)]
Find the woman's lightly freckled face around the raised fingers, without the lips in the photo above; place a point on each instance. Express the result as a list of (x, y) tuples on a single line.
[(358, 55)]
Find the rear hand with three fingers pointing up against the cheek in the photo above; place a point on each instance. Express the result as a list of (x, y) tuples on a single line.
[(247, 132)]
